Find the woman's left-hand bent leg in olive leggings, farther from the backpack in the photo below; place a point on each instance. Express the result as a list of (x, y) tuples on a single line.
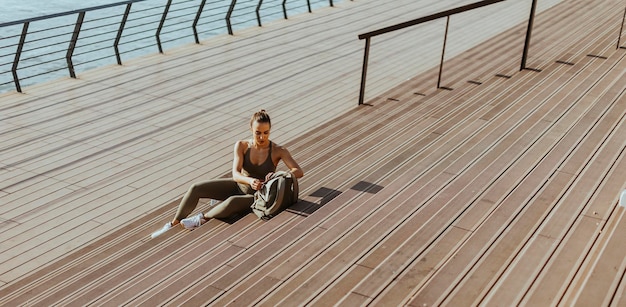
[(219, 189)]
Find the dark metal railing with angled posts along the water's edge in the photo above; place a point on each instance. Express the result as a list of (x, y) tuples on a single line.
[(50, 44)]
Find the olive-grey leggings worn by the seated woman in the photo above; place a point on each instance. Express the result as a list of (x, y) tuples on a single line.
[(234, 200)]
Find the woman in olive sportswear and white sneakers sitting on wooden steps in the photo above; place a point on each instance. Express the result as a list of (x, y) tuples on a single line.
[(253, 160)]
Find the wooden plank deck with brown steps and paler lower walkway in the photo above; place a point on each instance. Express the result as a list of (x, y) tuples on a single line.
[(502, 191)]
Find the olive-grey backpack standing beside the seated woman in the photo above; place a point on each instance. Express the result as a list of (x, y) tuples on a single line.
[(279, 192)]
